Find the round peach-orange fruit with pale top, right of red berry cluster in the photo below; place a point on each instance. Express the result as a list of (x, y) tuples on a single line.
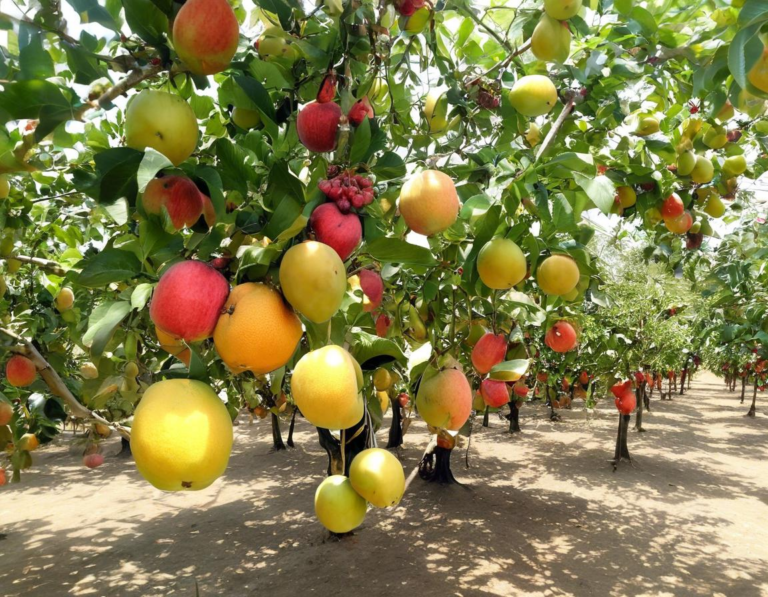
[(429, 202)]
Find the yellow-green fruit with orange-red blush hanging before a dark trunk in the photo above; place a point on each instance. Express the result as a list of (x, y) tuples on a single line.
[(445, 400)]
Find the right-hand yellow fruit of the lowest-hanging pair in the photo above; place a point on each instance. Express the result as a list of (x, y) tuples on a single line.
[(378, 477)]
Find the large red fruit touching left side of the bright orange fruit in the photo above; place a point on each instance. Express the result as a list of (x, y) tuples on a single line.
[(187, 301)]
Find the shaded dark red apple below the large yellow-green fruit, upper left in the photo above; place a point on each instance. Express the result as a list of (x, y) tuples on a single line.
[(179, 195)]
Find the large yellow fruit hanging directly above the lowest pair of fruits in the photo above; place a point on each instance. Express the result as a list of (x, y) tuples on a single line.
[(326, 388)]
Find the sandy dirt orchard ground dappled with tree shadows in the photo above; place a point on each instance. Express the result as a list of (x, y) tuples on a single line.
[(542, 514)]
